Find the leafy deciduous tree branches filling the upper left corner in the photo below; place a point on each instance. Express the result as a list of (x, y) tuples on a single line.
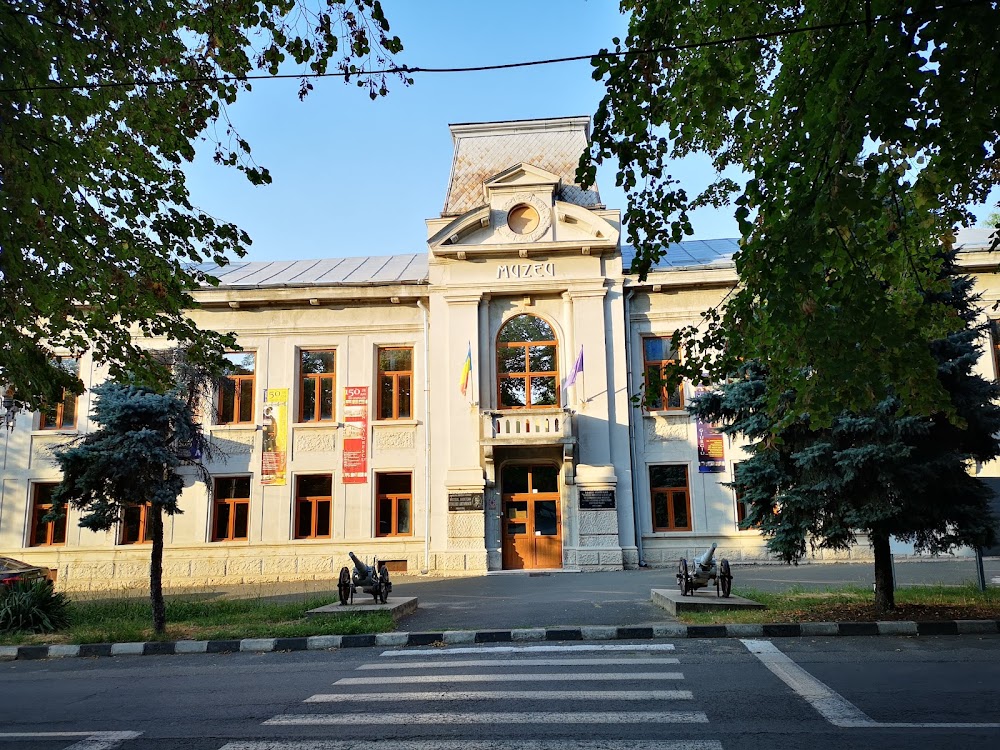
[(101, 105)]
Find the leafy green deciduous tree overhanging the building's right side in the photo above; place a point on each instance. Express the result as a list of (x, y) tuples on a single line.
[(857, 133)]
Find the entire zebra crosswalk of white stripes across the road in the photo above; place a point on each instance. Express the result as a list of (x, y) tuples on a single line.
[(435, 676)]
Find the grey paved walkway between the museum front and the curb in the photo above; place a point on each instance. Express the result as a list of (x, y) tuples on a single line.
[(618, 598)]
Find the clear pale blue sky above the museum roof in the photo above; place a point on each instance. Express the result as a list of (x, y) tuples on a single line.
[(357, 177)]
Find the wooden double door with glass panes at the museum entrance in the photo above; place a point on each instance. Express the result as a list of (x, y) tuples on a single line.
[(531, 522)]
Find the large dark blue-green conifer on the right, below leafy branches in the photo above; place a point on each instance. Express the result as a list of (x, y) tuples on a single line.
[(884, 473)]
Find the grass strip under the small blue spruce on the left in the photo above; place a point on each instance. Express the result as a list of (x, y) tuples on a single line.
[(126, 619)]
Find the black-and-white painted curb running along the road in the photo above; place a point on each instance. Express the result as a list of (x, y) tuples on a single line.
[(453, 637)]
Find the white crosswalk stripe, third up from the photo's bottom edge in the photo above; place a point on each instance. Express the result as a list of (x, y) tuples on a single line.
[(497, 695)]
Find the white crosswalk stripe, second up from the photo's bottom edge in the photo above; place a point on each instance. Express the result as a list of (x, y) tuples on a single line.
[(513, 718)]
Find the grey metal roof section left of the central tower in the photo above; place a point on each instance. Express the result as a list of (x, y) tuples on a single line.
[(361, 271)]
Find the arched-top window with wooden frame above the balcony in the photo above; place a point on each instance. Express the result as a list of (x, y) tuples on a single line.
[(527, 364)]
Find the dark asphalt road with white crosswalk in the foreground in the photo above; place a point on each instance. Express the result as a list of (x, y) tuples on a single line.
[(699, 695)]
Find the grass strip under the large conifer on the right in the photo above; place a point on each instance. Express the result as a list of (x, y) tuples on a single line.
[(857, 605)]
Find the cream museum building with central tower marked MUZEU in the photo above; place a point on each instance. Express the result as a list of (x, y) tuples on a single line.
[(456, 411)]
